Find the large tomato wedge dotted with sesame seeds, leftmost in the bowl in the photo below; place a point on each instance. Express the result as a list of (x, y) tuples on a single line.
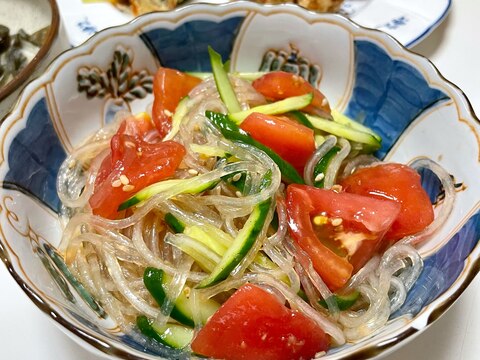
[(132, 164)]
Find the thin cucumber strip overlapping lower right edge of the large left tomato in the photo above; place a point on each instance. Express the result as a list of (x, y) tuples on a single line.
[(190, 186)]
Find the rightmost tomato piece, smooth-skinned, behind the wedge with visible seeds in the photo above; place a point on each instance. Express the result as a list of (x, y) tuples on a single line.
[(399, 183)]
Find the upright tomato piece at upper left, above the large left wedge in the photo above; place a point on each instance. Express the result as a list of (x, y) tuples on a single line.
[(169, 87)]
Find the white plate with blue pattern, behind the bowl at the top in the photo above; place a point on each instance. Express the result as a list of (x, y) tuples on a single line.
[(409, 21)]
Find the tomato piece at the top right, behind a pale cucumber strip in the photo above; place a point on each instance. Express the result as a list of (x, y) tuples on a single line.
[(278, 85)]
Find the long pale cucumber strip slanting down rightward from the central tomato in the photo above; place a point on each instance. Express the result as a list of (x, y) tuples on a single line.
[(344, 131)]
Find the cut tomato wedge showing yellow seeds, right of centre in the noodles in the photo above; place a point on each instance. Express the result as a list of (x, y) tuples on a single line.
[(348, 230)]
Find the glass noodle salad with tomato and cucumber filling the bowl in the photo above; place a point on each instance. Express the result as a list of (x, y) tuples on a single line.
[(243, 218)]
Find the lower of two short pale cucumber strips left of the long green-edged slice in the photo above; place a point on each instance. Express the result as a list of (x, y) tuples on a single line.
[(205, 257)]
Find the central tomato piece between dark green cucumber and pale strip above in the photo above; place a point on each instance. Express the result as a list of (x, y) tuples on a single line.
[(293, 142)]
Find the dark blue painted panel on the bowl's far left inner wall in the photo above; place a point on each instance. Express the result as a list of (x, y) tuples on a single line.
[(34, 158)]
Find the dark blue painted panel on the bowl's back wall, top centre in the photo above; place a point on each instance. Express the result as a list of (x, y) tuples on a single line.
[(185, 47)]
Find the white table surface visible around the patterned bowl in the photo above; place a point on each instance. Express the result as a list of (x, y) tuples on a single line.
[(26, 333)]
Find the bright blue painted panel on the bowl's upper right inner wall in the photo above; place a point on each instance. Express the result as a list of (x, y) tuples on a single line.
[(388, 94)]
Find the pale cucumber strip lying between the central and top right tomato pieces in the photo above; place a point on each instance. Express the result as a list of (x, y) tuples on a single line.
[(275, 108)]
